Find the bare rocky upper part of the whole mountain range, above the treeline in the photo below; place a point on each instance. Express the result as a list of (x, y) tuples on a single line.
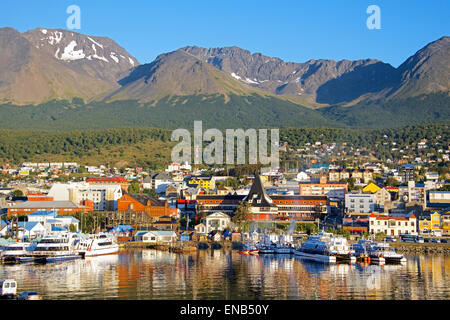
[(45, 64)]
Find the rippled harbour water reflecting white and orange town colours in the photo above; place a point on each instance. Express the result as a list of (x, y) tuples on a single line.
[(219, 274)]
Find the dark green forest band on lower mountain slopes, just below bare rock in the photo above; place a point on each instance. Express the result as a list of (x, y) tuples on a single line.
[(218, 111)]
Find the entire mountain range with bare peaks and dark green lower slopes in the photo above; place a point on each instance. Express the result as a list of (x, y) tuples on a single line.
[(44, 65)]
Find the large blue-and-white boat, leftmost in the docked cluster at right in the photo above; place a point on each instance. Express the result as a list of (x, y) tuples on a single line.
[(317, 248)]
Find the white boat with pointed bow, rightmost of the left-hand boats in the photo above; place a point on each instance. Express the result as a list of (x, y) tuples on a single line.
[(97, 245)]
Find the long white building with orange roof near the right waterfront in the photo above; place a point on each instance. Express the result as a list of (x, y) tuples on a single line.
[(392, 226)]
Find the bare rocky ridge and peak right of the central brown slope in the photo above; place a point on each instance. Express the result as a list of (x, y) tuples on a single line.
[(331, 82)]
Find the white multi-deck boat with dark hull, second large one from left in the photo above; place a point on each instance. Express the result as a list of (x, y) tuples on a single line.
[(53, 248)]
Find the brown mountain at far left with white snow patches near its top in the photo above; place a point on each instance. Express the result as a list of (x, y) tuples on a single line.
[(44, 64)]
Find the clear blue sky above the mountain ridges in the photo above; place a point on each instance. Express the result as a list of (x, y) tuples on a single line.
[(293, 30)]
